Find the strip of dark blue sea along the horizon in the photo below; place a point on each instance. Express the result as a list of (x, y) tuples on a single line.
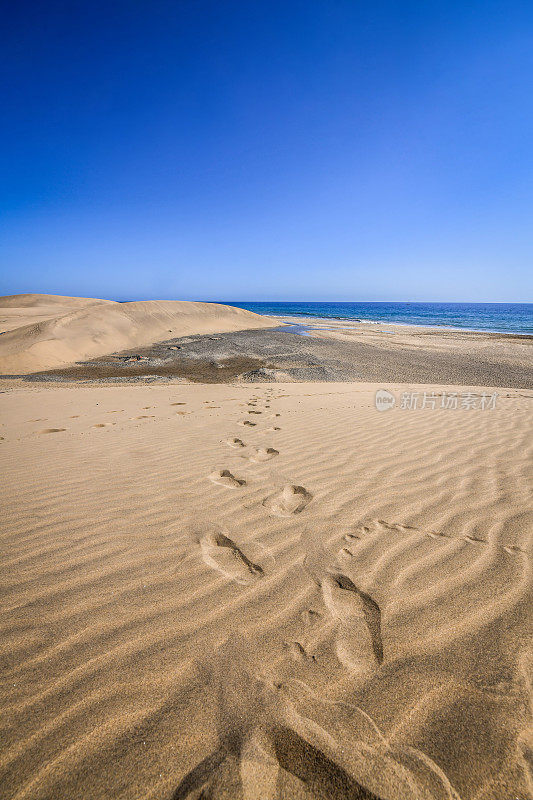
[(498, 317)]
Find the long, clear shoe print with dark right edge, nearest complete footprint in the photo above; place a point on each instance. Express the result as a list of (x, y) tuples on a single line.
[(358, 644)]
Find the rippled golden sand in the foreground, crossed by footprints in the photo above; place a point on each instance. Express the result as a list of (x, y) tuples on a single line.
[(351, 621)]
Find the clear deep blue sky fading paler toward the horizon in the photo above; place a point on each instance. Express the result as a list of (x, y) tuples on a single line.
[(258, 150)]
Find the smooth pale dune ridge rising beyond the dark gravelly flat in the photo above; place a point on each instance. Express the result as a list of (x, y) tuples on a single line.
[(42, 331)]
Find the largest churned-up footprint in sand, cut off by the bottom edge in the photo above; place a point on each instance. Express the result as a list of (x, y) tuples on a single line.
[(285, 741)]
